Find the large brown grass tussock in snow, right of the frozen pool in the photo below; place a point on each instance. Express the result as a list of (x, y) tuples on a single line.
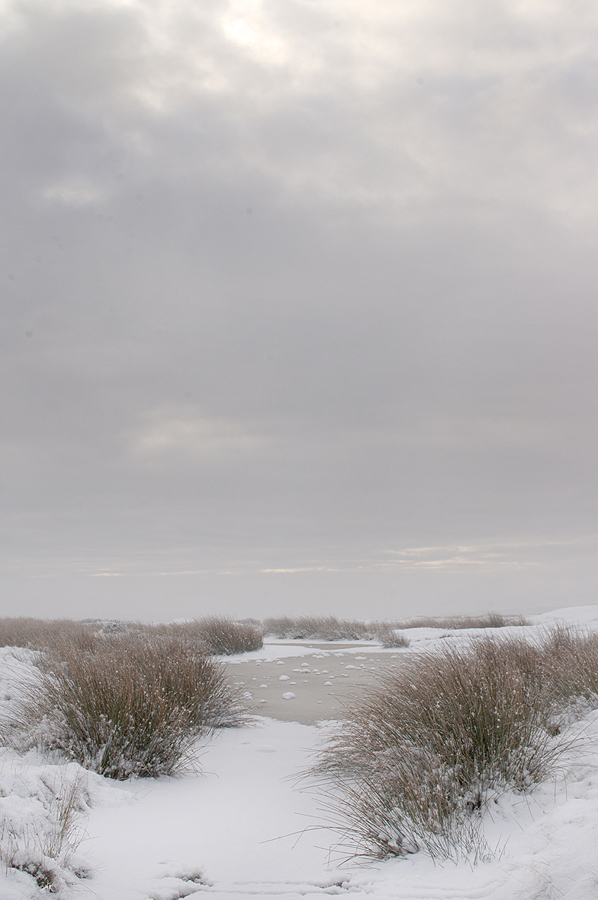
[(427, 747)]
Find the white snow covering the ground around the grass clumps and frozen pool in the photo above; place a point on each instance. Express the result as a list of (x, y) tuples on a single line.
[(242, 826)]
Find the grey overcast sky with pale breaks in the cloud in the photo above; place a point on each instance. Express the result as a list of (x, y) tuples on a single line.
[(298, 306)]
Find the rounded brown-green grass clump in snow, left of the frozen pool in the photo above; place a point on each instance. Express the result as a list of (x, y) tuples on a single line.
[(128, 707)]
